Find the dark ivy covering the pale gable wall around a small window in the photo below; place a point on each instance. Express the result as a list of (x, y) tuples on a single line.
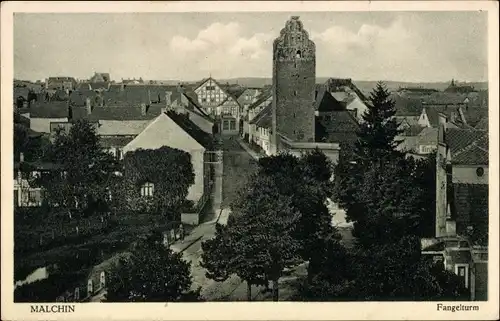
[(169, 170)]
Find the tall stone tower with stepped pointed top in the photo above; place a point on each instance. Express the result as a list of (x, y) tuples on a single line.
[(294, 79)]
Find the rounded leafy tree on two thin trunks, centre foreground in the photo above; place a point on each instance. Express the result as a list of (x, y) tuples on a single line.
[(258, 242)]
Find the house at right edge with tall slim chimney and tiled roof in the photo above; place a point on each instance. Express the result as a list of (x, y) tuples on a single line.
[(461, 236)]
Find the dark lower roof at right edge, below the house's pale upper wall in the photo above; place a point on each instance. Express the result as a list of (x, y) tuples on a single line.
[(469, 206)]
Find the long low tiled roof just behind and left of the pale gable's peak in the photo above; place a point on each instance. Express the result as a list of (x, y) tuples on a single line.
[(117, 113)]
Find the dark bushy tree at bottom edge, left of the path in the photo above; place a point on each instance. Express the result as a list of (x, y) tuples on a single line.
[(153, 273)]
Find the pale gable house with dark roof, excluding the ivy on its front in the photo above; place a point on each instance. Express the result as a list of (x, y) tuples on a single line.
[(177, 131)]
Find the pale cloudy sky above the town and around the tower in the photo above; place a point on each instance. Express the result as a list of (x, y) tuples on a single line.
[(398, 46)]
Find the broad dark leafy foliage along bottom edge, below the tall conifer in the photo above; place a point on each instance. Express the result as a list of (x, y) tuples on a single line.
[(391, 272)]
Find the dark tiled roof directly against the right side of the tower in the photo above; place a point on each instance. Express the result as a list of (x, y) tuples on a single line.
[(337, 127)]
